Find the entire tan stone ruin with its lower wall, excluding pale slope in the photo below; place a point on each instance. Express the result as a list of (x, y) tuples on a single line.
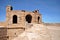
[(16, 21)]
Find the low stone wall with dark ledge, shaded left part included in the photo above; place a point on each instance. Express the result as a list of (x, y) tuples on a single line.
[(9, 33)]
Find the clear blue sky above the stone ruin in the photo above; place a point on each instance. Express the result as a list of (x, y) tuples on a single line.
[(50, 9)]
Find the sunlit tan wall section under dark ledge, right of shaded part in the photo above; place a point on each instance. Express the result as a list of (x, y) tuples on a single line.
[(14, 32)]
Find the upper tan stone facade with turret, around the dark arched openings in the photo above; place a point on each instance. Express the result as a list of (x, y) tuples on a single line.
[(21, 16)]
